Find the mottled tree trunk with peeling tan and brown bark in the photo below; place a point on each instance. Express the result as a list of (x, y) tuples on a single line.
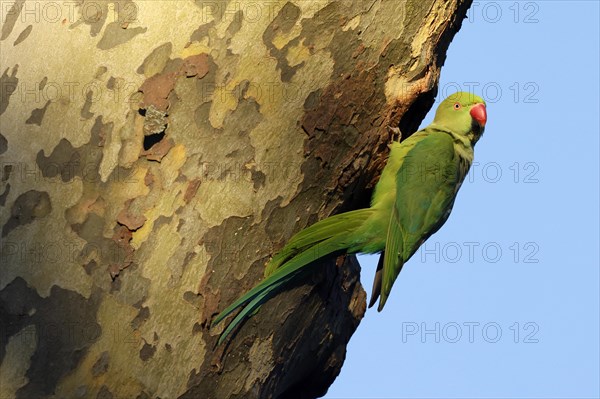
[(155, 154)]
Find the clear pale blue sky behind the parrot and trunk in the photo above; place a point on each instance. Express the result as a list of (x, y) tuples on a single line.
[(503, 301)]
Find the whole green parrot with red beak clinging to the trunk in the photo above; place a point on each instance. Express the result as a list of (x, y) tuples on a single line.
[(411, 201)]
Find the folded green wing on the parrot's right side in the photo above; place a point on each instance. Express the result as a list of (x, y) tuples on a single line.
[(426, 185)]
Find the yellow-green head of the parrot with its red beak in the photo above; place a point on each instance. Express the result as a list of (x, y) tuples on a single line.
[(464, 114)]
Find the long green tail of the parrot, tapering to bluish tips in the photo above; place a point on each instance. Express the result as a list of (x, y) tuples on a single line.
[(325, 237)]
